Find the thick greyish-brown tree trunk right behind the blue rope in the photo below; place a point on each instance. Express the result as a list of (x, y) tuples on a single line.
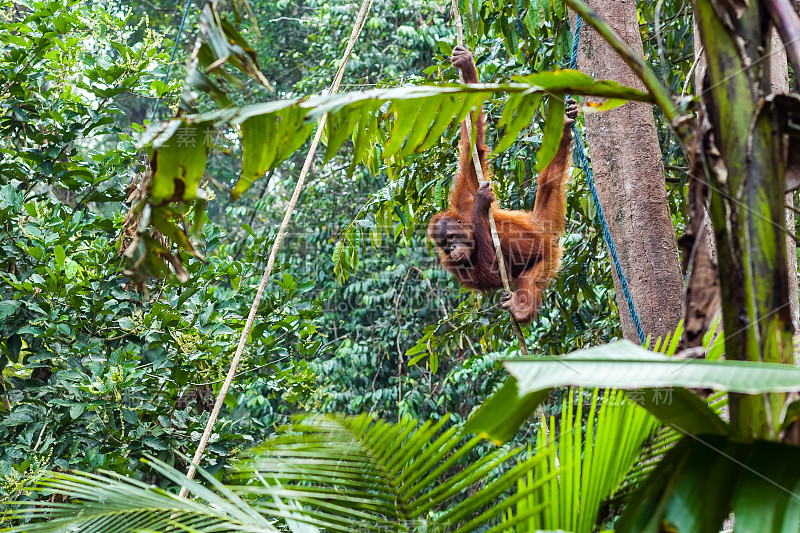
[(629, 173)]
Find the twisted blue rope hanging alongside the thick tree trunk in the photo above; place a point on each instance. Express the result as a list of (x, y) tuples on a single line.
[(581, 161)]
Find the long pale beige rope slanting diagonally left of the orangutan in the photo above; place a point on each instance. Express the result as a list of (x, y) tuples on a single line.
[(198, 456)]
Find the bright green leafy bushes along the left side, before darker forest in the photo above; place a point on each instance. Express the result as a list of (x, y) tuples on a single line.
[(98, 373)]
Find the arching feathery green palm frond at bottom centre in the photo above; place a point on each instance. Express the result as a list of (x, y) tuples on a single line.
[(356, 473)]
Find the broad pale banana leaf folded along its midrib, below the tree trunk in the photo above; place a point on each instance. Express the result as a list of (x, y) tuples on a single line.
[(627, 366)]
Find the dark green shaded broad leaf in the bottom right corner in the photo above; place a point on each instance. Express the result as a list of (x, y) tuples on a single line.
[(705, 477)]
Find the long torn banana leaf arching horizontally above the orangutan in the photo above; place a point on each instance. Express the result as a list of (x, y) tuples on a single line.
[(272, 131)]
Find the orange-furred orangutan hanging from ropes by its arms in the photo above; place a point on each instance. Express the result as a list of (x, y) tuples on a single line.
[(529, 239)]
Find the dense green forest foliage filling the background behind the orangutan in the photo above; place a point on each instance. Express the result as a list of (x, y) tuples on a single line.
[(98, 372)]
